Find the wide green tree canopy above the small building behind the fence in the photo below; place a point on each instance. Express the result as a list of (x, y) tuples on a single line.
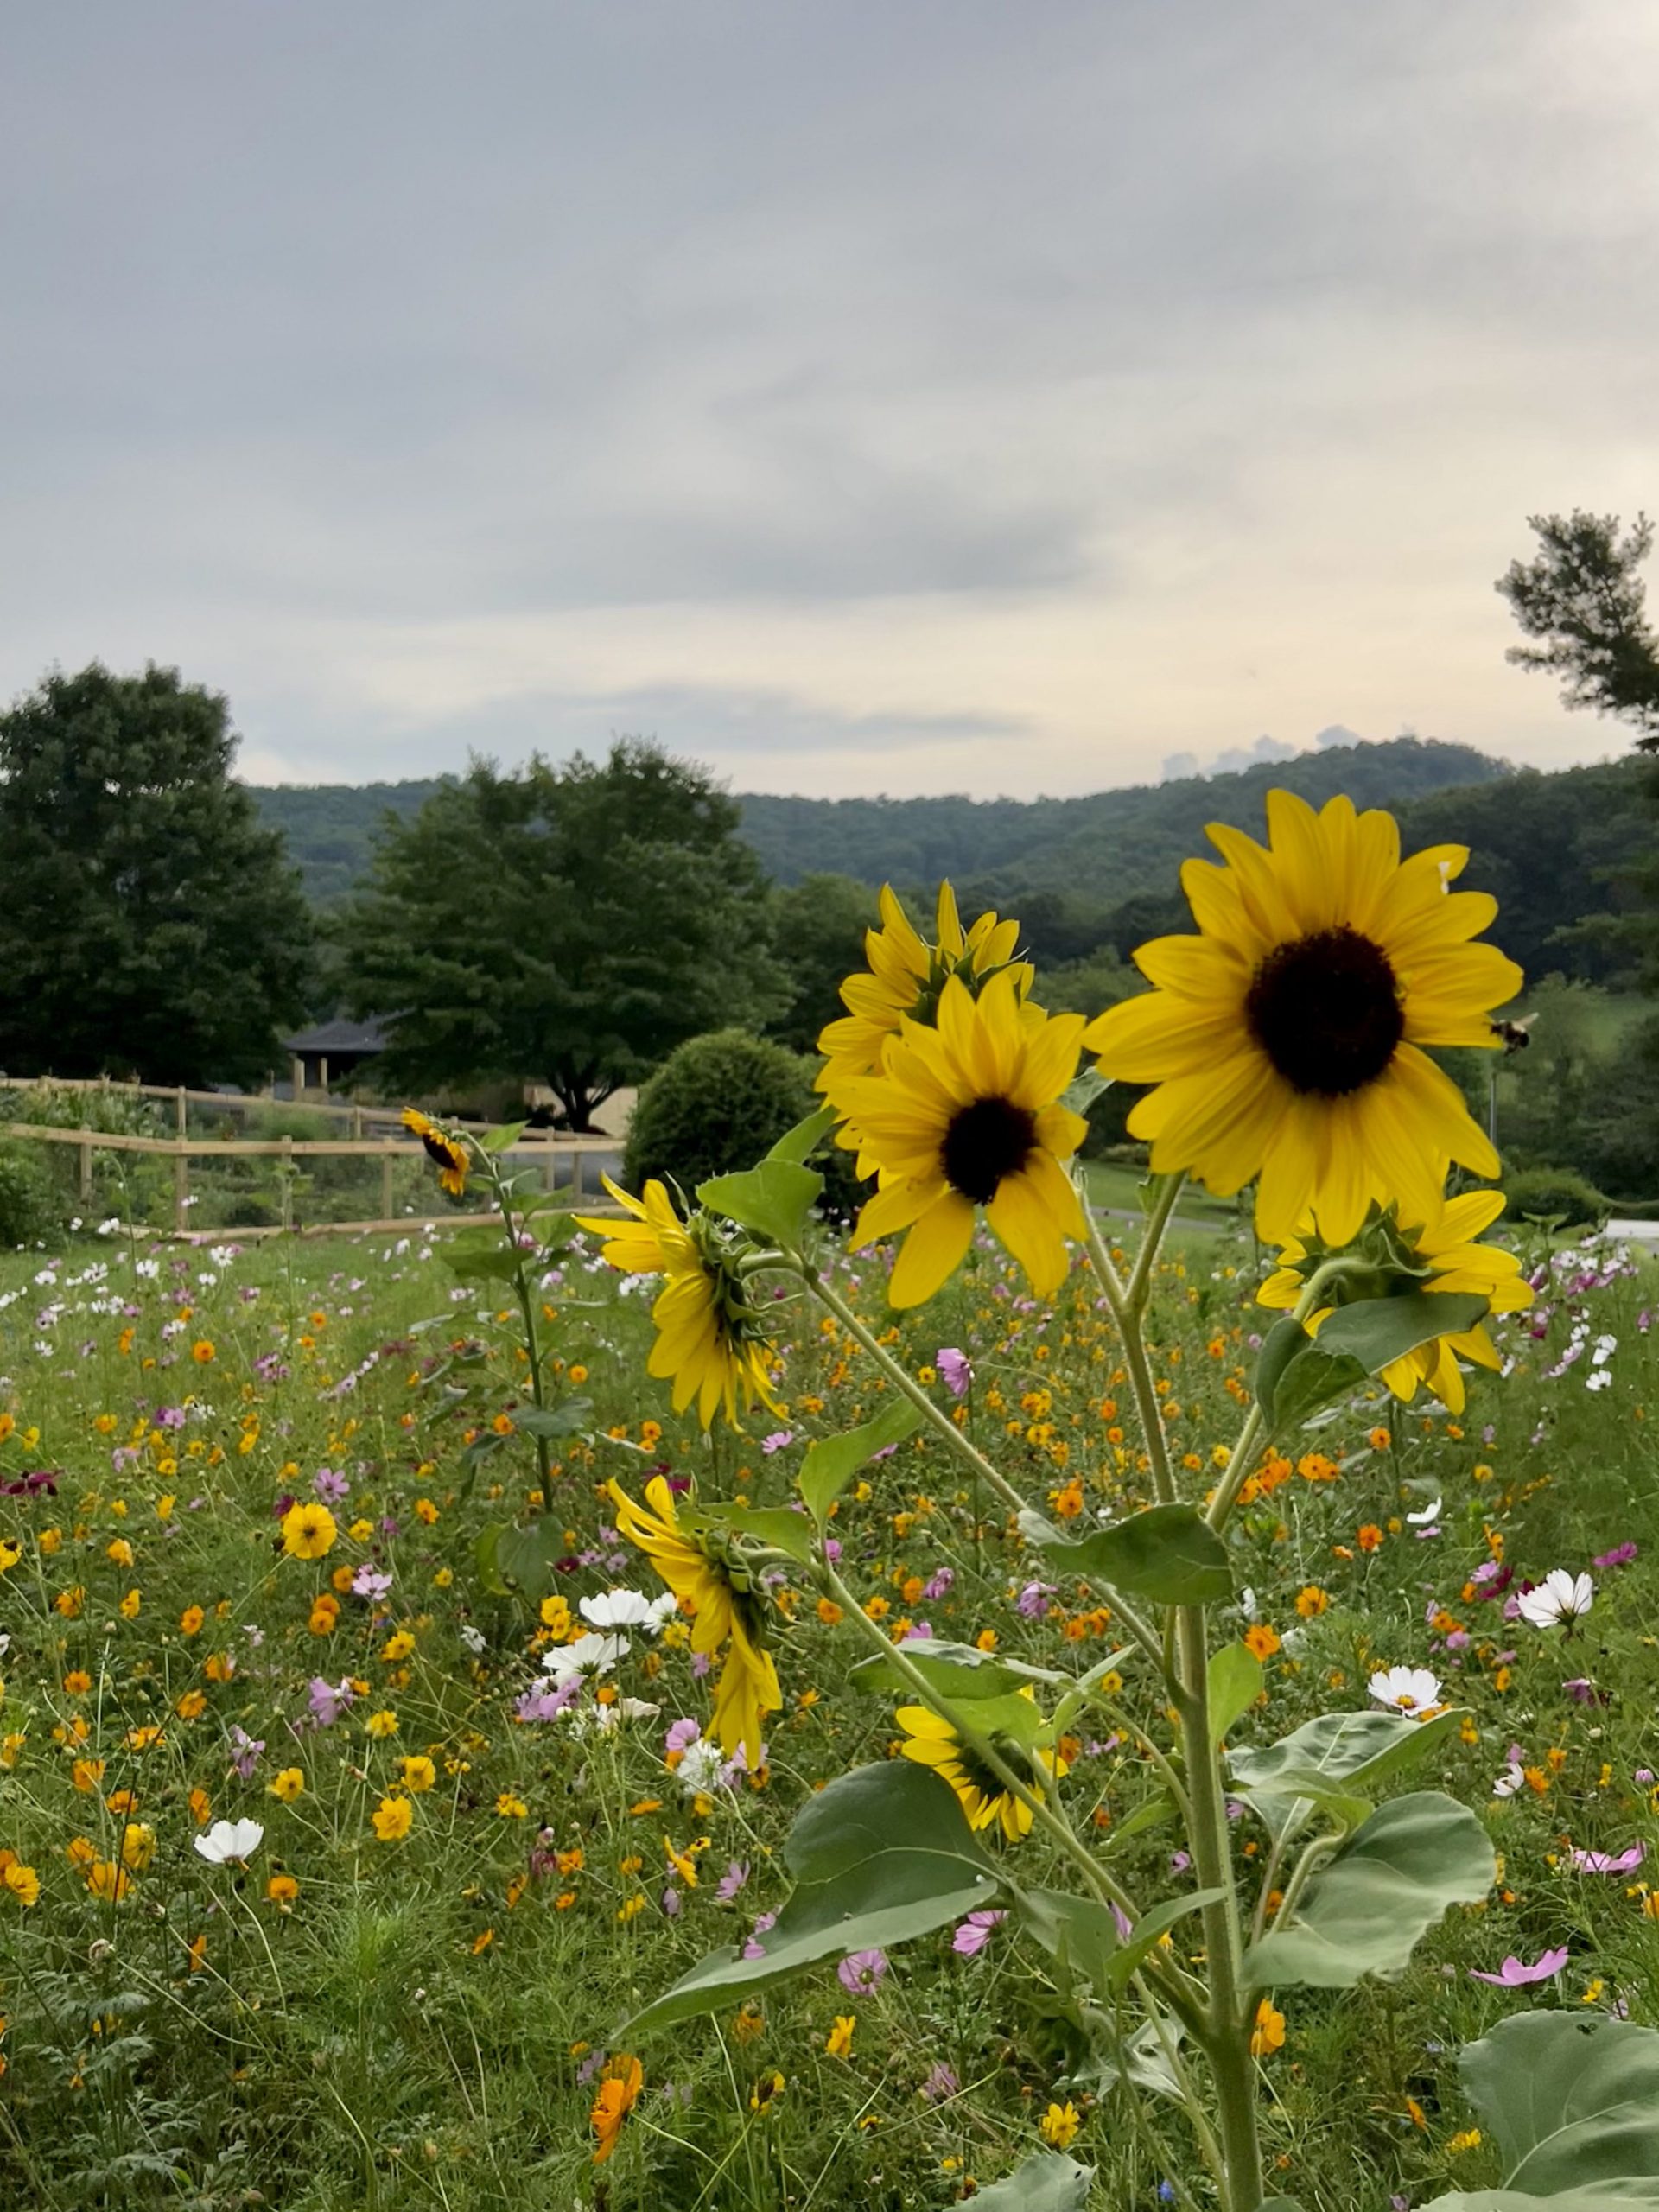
[(565, 924)]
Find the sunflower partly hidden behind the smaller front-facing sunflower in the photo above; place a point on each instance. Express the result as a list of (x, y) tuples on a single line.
[(906, 979)]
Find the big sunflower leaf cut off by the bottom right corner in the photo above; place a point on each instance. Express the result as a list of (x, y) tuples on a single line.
[(1574, 2105)]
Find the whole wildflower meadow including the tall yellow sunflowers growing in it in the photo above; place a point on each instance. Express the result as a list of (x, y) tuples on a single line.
[(709, 1707)]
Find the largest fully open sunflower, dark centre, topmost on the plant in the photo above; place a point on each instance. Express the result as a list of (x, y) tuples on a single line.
[(1286, 1039)]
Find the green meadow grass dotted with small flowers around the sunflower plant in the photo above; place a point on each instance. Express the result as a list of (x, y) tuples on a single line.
[(413, 2030)]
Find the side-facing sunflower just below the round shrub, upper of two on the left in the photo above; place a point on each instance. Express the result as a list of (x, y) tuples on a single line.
[(711, 1339)]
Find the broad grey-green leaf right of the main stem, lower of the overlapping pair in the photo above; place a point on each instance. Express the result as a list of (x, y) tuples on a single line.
[(1366, 1910)]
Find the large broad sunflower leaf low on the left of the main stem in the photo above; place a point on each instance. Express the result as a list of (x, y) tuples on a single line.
[(879, 1857)]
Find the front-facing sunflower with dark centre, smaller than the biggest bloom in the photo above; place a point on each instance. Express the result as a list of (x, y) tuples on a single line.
[(970, 1116)]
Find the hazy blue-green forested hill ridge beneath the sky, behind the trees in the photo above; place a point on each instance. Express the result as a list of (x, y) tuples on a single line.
[(1118, 842)]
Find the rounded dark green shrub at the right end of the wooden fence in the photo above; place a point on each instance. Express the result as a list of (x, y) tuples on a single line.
[(722, 1103)]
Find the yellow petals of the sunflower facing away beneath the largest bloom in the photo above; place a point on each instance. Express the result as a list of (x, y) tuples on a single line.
[(1448, 1246)]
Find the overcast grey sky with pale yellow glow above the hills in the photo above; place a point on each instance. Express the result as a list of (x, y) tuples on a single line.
[(870, 395)]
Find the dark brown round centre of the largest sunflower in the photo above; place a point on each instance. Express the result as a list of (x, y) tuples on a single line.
[(1326, 1012)]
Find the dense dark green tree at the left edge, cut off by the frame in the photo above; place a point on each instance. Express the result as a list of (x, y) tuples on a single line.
[(152, 926)]
